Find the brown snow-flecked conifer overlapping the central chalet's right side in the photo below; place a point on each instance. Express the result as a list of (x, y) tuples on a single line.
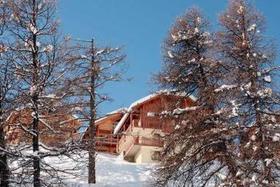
[(196, 152)]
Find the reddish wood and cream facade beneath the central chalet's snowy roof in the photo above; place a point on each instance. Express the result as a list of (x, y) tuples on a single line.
[(145, 126)]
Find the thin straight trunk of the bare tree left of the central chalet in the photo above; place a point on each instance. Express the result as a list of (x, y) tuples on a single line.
[(92, 128)]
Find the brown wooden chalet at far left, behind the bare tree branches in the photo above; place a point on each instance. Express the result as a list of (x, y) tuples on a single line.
[(55, 128)]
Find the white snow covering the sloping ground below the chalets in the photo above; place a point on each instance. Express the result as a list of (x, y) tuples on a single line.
[(111, 170)]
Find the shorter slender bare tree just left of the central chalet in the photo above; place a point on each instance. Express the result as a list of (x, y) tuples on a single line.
[(96, 68)]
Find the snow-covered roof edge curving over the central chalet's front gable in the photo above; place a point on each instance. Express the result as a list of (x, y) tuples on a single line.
[(145, 99)]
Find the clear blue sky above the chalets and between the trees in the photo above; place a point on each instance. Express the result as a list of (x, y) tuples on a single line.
[(141, 26)]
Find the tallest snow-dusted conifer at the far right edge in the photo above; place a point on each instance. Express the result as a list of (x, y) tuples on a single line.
[(250, 57)]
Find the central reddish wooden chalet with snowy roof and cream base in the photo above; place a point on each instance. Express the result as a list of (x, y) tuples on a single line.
[(137, 132)]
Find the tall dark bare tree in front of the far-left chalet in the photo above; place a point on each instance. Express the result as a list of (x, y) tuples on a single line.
[(39, 59)]
